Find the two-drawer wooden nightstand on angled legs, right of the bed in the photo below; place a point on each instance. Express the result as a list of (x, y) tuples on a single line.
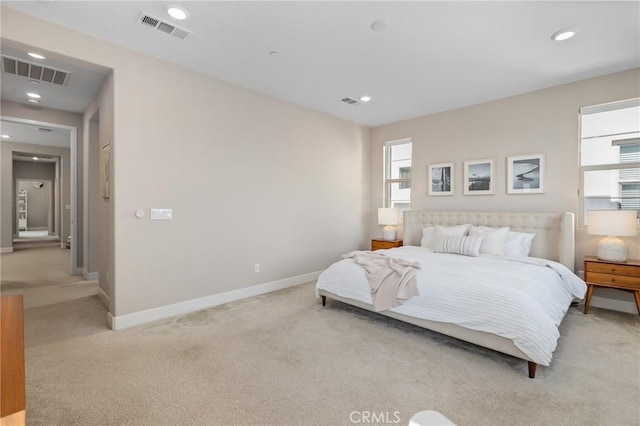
[(620, 275)]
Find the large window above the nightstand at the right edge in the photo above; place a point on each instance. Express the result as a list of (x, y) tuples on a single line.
[(610, 157)]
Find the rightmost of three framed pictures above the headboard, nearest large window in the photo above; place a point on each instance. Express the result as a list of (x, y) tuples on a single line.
[(525, 174)]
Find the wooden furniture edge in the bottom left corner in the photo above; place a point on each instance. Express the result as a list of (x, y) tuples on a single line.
[(12, 384)]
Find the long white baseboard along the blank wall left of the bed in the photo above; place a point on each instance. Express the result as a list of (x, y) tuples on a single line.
[(129, 320)]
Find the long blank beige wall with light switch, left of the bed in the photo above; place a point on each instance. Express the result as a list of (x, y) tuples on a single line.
[(276, 184)]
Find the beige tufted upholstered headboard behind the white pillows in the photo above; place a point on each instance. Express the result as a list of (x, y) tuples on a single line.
[(554, 231)]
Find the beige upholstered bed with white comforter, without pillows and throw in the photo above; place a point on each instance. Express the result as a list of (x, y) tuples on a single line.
[(536, 290)]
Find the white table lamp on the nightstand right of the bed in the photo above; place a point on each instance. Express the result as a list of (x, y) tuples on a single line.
[(613, 224)]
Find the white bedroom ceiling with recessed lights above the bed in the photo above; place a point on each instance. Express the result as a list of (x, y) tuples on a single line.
[(432, 57)]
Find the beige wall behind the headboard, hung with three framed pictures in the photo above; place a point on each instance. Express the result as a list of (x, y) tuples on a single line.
[(544, 121)]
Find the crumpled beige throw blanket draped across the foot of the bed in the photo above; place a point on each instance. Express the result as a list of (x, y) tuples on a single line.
[(391, 280)]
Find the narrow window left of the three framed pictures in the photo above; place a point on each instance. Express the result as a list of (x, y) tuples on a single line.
[(397, 174)]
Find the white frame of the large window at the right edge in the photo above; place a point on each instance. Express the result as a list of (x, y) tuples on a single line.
[(613, 166)]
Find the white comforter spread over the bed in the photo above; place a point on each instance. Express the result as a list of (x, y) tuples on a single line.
[(520, 299)]
